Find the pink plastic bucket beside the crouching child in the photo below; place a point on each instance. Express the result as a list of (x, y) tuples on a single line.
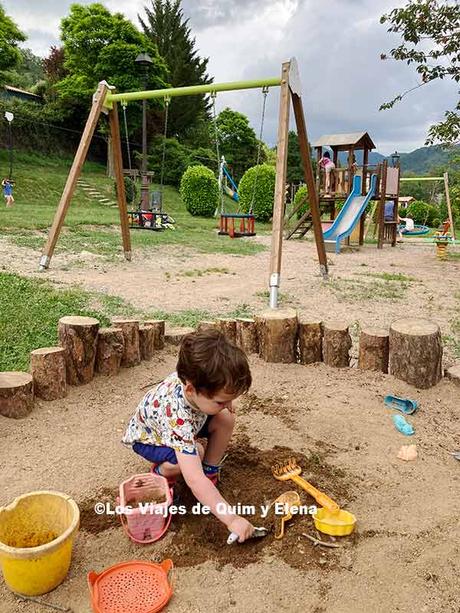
[(147, 520)]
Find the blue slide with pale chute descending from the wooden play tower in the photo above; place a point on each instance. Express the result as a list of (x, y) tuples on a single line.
[(350, 214)]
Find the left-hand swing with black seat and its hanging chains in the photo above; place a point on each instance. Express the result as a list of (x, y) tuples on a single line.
[(153, 218)]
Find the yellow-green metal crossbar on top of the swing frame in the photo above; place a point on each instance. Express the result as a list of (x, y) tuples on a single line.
[(193, 90)]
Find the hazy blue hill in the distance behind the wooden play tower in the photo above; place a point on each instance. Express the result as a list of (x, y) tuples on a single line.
[(419, 162)]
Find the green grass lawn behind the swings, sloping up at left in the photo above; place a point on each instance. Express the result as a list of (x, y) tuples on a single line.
[(94, 227)]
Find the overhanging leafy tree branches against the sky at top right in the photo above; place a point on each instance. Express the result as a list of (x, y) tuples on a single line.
[(431, 33)]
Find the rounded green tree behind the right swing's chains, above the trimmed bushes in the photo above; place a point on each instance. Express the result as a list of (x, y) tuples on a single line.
[(237, 141)]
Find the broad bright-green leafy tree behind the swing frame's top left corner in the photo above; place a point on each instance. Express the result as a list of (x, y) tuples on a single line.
[(101, 46)]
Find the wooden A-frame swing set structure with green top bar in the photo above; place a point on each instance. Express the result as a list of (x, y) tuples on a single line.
[(105, 100)]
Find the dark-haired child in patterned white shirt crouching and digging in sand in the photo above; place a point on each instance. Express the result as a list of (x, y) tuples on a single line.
[(194, 402)]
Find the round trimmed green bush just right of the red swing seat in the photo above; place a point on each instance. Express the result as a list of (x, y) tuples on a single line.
[(257, 187)]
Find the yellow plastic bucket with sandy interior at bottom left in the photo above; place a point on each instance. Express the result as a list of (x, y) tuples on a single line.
[(36, 537)]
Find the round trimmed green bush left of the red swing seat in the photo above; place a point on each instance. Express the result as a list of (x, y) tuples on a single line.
[(199, 191)]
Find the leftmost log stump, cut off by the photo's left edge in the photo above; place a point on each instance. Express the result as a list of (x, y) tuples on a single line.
[(16, 394)]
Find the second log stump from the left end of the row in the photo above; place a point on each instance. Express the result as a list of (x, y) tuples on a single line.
[(48, 369)]
